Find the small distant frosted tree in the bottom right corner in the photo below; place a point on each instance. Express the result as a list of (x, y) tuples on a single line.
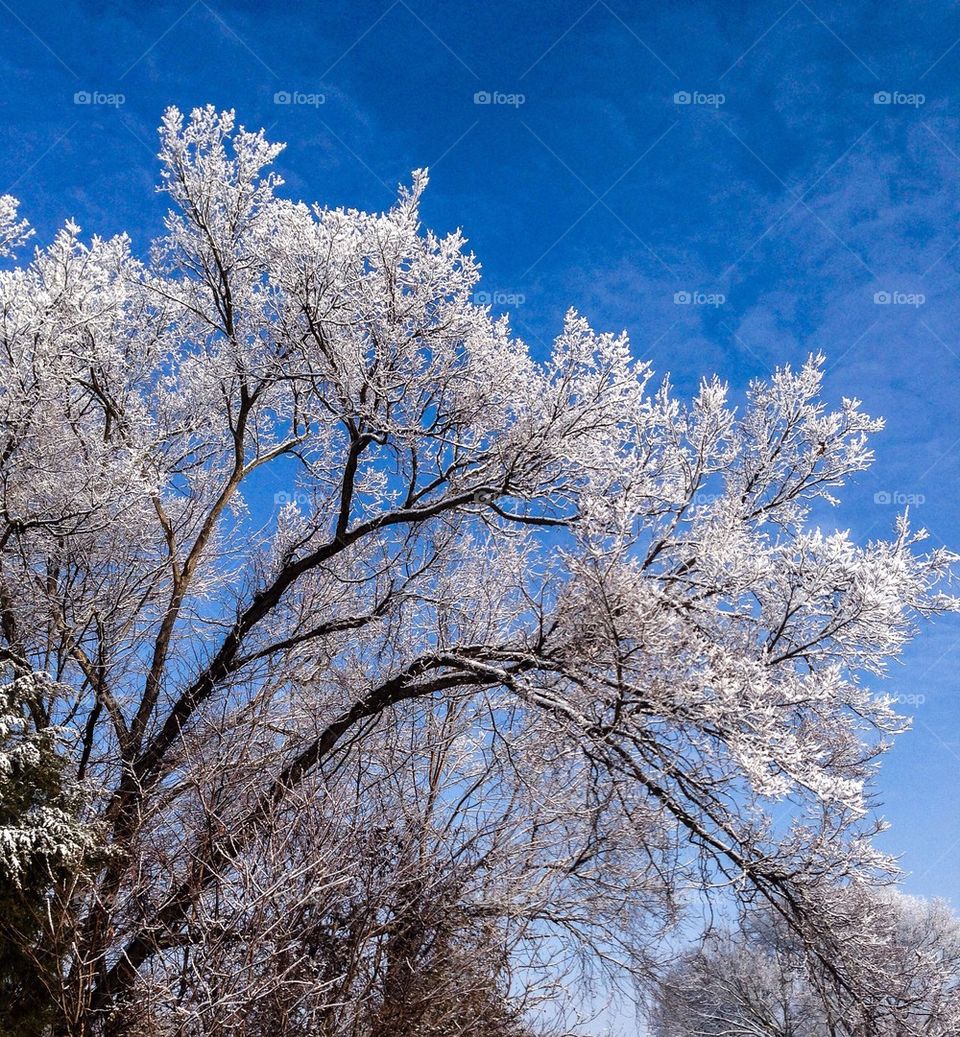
[(758, 982)]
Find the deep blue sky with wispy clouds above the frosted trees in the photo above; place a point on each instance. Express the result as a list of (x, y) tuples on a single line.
[(806, 199)]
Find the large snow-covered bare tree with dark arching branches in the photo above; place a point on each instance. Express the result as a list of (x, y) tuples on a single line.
[(523, 652)]
